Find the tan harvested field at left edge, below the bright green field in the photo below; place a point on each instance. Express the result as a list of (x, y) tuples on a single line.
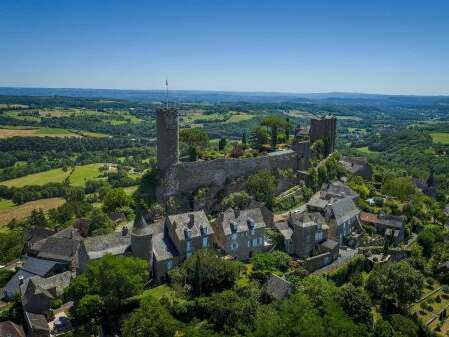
[(24, 210)]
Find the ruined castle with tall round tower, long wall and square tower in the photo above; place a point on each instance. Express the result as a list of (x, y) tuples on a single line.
[(182, 177)]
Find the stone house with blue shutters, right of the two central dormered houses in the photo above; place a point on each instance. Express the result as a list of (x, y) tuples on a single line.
[(240, 233)]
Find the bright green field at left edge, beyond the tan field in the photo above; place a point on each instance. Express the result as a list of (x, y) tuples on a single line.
[(78, 178)]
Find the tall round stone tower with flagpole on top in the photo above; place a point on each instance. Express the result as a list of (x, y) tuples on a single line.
[(167, 138)]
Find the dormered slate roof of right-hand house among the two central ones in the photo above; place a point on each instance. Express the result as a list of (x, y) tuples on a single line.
[(242, 220)]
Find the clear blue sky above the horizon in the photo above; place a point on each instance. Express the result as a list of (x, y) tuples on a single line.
[(376, 46)]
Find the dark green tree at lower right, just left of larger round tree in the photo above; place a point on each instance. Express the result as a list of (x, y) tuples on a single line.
[(356, 303)]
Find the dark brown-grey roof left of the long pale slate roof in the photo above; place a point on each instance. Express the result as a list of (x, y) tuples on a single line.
[(59, 249)]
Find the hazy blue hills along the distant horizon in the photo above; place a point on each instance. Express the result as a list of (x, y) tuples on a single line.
[(229, 96)]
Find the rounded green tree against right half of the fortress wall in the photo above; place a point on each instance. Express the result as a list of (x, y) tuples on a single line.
[(262, 186)]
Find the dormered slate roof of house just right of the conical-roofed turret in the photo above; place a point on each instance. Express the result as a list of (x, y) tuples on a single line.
[(182, 222)]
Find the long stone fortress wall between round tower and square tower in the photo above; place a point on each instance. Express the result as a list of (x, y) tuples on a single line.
[(189, 176)]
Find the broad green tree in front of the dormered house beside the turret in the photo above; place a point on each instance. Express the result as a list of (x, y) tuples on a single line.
[(205, 272)]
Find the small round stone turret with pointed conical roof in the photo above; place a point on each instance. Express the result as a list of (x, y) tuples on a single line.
[(142, 241)]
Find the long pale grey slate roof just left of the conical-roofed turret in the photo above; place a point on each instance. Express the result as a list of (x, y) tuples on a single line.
[(114, 243)]
